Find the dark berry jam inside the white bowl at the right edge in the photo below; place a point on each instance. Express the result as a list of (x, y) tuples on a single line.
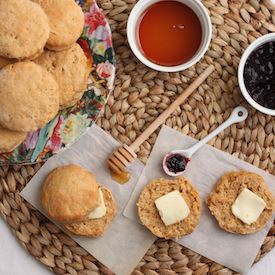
[(259, 75)]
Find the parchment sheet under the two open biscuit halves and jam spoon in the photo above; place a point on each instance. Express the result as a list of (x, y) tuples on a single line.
[(206, 167)]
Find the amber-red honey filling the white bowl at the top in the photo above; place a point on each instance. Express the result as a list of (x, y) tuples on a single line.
[(169, 33)]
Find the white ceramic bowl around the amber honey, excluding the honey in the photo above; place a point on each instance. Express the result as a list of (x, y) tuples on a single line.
[(132, 26)]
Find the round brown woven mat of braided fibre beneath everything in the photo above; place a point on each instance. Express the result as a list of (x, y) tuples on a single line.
[(140, 95)]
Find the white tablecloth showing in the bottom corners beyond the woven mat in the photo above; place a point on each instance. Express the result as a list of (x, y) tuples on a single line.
[(14, 260)]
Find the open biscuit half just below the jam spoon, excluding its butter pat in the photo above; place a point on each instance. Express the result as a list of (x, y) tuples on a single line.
[(149, 214)]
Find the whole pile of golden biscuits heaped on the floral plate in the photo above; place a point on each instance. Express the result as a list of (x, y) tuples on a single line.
[(42, 68)]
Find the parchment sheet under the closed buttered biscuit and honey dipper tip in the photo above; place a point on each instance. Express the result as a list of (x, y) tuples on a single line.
[(125, 242)]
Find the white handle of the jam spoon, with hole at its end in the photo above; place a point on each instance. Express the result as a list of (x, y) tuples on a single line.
[(238, 114)]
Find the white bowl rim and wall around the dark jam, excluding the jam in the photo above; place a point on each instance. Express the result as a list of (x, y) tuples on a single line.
[(257, 43)]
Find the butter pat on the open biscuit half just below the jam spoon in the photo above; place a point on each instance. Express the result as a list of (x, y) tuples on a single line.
[(172, 208)]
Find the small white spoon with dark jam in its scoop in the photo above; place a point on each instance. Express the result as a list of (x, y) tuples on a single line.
[(182, 157)]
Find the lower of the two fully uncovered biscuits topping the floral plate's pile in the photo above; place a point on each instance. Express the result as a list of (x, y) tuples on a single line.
[(29, 97)]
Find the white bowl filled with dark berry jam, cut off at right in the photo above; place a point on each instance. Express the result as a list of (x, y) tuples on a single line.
[(256, 74)]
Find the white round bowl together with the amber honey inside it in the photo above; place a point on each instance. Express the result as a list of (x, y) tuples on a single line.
[(169, 35)]
